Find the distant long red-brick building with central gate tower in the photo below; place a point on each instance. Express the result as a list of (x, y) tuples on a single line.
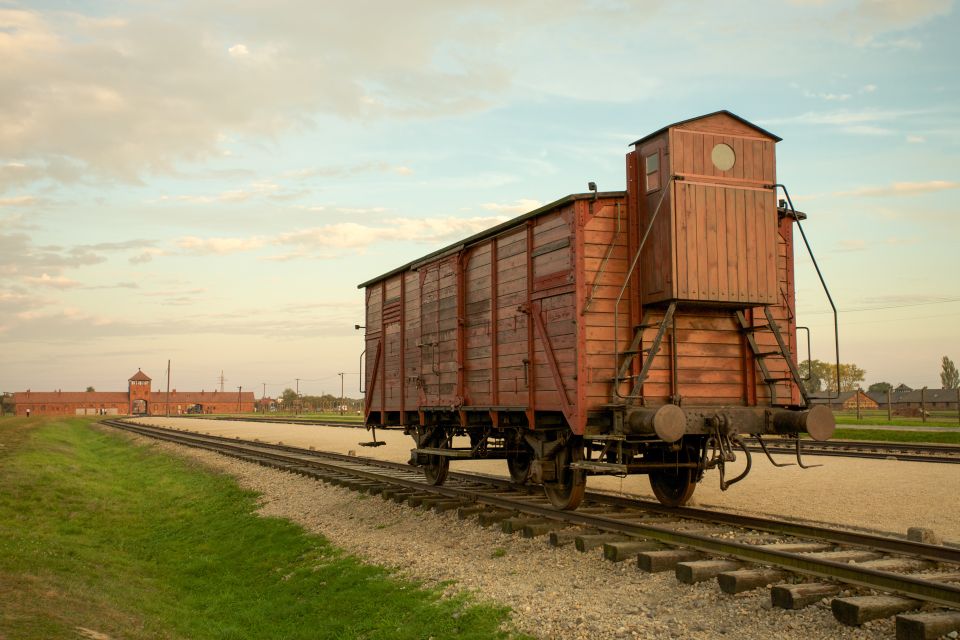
[(138, 399)]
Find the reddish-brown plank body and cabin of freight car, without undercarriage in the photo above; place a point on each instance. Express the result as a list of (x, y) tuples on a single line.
[(528, 319)]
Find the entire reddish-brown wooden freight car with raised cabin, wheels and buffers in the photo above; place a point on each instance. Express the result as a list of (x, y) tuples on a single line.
[(638, 331)]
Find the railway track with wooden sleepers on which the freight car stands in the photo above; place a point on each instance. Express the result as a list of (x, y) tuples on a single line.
[(739, 552)]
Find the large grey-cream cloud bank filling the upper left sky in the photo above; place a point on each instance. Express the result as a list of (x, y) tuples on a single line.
[(169, 84)]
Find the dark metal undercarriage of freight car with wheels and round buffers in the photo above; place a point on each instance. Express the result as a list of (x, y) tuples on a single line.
[(673, 446)]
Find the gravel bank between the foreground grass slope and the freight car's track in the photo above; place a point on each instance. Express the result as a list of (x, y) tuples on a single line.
[(554, 593)]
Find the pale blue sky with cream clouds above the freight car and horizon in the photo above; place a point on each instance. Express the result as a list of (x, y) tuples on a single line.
[(206, 182)]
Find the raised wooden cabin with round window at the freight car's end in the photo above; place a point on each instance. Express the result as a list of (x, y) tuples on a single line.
[(713, 238)]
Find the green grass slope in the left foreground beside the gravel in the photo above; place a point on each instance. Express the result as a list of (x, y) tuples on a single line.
[(101, 534)]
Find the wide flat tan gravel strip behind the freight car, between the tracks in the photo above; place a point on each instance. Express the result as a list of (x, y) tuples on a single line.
[(884, 496)]
